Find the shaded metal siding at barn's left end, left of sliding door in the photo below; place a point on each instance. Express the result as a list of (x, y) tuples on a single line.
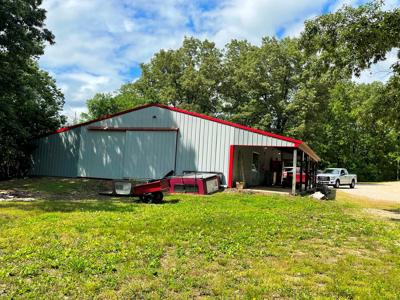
[(57, 154)]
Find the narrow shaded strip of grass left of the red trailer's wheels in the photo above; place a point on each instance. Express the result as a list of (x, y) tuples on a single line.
[(111, 205)]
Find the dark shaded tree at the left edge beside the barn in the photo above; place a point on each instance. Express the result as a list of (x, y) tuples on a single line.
[(30, 102)]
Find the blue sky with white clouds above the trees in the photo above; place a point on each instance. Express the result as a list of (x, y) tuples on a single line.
[(100, 43)]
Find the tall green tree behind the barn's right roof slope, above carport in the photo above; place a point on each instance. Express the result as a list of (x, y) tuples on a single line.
[(260, 82)]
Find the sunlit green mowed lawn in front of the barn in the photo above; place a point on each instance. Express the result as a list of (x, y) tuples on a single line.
[(75, 244)]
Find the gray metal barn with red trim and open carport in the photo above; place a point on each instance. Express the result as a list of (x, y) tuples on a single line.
[(150, 140)]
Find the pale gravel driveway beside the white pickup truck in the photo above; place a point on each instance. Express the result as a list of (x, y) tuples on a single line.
[(385, 191)]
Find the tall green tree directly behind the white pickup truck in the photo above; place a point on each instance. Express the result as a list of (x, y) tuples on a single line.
[(354, 135)]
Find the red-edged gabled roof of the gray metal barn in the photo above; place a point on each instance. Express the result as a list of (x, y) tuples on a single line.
[(297, 143)]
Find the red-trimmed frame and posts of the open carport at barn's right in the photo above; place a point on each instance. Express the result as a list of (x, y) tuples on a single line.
[(298, 148)]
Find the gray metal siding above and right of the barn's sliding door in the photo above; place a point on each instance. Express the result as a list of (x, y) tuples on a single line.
[(203, 145)]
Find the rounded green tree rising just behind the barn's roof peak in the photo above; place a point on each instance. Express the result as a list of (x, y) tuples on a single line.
[(189, 77)]
